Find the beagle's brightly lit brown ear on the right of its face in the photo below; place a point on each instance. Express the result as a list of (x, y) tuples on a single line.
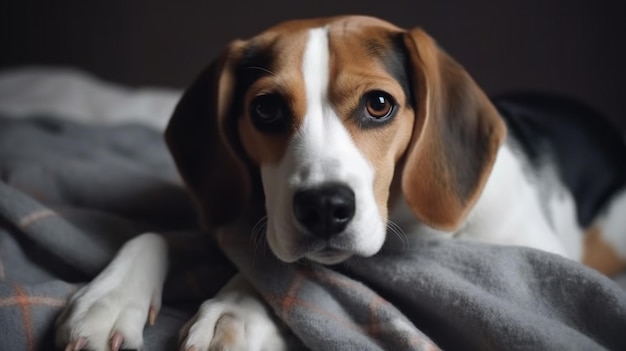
[(455, 140)]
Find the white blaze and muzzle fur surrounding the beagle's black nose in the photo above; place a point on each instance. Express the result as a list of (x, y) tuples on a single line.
[(321, 151)]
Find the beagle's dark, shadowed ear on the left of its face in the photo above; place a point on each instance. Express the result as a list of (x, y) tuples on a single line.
[(200, 136)]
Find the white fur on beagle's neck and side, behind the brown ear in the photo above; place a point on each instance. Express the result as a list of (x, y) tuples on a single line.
[(509, 212)]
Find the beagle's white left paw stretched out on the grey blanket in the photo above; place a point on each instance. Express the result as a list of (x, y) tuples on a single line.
[(110, 312)]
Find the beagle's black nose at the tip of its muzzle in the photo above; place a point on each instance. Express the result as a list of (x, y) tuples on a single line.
[(326, 210)]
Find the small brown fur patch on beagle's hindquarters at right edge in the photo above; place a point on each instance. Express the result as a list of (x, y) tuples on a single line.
[(599, 255)]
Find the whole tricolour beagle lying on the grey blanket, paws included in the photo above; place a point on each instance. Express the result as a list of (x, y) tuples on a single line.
[(334, 129)]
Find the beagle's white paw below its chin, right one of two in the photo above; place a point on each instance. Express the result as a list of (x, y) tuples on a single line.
[(236, 319)]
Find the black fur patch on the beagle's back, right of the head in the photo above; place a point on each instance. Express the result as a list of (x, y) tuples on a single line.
[(588, 152)]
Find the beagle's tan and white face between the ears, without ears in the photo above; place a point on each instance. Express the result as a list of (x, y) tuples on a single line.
[(326, 122)]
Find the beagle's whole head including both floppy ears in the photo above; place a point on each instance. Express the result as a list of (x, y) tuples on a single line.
[(337, 117)]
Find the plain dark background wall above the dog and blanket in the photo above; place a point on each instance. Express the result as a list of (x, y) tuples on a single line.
[(572, 47)]
